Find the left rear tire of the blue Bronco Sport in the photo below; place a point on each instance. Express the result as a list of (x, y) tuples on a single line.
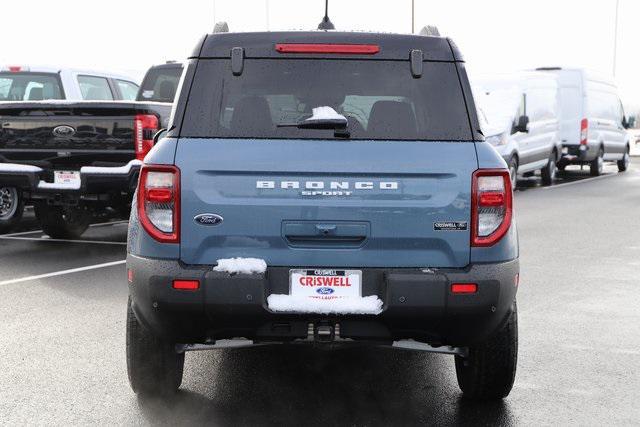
[(154, 367)]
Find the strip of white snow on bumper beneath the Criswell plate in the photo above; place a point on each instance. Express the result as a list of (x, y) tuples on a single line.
[(304, 304)]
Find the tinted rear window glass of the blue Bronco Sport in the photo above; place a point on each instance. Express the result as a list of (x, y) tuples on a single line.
[(380, 99)]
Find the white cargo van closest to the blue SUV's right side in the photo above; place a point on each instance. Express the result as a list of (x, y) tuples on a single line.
[(518, 115)]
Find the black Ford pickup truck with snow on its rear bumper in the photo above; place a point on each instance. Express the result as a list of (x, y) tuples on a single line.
[(72, 160)]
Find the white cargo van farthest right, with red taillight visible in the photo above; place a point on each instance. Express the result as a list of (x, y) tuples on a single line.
[(592, 121)]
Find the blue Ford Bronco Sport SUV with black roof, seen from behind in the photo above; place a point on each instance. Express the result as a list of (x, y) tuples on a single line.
[(324, 187)]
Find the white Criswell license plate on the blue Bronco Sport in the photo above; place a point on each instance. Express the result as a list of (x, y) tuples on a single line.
[(325, 283)]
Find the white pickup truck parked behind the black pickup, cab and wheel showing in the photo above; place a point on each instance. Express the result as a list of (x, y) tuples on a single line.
[(21, 83)]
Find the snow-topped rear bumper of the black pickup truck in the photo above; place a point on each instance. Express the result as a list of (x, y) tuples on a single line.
[(93, 180)]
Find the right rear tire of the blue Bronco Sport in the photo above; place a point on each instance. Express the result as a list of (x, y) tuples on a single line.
[(490, 368)]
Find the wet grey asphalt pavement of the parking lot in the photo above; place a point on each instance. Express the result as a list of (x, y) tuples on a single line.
[(62, 344)]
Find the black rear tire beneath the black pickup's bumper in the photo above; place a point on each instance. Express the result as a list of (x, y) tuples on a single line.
[(62, 222)]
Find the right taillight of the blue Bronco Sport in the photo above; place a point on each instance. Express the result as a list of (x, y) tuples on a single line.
[(491, 206)]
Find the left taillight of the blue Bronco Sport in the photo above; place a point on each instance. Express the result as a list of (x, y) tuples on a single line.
[(159, 202)]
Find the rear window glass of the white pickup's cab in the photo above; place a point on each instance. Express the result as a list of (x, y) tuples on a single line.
[(30, 86)]
